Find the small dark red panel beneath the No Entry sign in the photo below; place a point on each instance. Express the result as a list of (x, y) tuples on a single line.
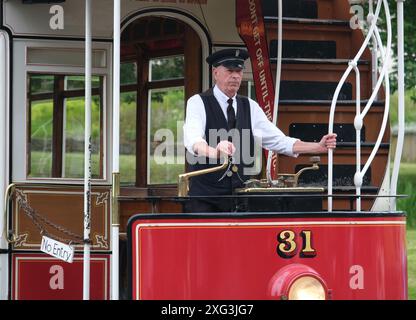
[(37, 276)]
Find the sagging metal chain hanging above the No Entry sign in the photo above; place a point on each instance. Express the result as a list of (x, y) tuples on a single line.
[(40, 221)]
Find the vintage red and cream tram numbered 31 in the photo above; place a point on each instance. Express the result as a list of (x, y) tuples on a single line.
[(92, 100)]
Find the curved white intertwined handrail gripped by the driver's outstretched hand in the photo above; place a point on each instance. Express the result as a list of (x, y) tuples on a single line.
[(358, 121)]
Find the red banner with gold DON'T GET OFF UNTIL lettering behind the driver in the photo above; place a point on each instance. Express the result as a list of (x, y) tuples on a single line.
[(251, 29)]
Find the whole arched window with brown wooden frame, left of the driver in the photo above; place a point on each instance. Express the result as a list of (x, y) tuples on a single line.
[(158, 54)]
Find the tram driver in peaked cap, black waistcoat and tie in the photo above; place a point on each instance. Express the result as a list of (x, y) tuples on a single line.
[(218, 110)]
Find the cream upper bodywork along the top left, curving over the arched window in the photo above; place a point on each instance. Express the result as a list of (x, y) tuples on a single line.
[(34, 18)]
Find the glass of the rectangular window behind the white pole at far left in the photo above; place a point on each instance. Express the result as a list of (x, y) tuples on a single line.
[(56, 126)]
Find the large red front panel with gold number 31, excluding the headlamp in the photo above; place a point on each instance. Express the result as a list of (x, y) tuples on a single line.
[(207, 257)]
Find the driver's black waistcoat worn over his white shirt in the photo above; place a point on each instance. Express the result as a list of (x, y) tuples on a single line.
[(209, 184)]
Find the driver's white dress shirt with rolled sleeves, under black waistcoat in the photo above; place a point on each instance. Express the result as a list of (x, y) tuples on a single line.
[(270, 137)]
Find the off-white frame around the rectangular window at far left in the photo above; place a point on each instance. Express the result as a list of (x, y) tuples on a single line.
[(20, 105)]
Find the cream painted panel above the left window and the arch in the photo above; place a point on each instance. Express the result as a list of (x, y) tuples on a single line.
[(34, 19)]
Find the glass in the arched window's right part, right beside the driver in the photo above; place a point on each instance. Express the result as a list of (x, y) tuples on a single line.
[(166, 106)]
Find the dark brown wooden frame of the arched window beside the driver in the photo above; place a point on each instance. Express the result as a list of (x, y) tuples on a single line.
[(192, 83)]
